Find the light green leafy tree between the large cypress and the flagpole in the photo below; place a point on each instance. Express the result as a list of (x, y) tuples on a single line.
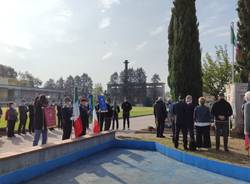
[(216, 72)]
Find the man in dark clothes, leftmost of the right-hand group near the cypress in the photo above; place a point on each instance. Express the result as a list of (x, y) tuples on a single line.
[(160, 112)]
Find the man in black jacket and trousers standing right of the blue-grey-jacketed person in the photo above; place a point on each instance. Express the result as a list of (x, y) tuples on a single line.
[(221, 111)]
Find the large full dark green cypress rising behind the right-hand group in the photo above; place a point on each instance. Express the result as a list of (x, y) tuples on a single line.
[(185, 74)]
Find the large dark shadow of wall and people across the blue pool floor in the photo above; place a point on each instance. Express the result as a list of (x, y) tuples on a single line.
[(96, 167)]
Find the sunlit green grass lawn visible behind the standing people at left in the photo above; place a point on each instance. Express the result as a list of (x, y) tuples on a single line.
[(136, 111)]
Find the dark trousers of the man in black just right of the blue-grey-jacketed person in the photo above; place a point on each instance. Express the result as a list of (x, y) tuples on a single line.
[(221, 128)]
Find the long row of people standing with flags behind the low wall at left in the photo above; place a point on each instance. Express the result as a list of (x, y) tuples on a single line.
[(37, 120)]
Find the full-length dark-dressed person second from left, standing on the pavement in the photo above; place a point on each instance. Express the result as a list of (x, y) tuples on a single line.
[(23, 110)]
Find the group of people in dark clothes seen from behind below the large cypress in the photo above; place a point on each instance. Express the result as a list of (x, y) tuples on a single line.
[(193, 120)]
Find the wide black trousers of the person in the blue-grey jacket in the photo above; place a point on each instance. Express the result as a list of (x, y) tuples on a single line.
[(203, 136)]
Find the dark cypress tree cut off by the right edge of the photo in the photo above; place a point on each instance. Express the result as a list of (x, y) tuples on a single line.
[(243, 54)]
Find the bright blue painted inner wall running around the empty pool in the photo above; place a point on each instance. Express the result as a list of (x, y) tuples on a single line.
[(234, 171)]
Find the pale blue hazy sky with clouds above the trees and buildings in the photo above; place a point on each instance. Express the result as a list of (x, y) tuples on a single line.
[(54, 38)]
